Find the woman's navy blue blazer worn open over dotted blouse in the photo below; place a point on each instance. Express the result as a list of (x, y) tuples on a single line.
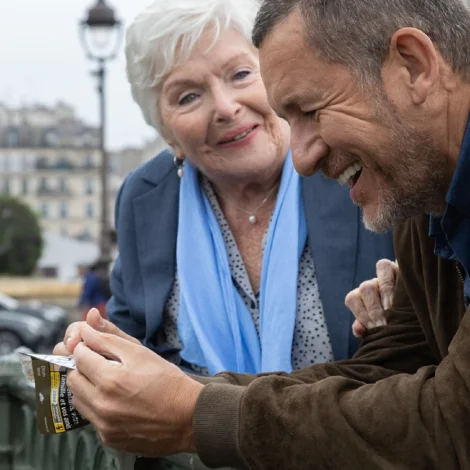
[(344, 252)]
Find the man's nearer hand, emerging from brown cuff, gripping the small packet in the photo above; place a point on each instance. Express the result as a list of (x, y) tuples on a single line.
[(144, 405)]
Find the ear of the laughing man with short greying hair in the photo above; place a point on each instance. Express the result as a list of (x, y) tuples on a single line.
[(413, 61)]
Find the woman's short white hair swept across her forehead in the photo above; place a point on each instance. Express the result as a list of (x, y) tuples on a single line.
[(164, 35)]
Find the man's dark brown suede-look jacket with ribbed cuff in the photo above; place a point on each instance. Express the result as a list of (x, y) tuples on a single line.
[(402, 402)]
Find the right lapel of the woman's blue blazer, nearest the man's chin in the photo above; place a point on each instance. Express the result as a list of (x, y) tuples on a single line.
[(332, 222)]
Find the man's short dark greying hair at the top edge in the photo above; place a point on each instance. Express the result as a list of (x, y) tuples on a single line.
[(357, 33)]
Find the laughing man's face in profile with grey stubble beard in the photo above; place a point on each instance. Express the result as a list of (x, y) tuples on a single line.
[(350, 132)]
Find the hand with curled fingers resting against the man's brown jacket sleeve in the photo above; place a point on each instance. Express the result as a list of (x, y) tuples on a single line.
[(369, 301)]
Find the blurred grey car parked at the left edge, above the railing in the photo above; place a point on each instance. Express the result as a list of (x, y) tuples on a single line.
[(34, 325)]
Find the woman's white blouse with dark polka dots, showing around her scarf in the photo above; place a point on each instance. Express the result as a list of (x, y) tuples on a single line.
[(311, 342)]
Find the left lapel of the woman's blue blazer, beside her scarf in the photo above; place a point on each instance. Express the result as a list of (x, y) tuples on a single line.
[(156, 222)]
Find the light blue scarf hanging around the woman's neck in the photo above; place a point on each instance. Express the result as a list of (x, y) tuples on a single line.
[(215, 326)]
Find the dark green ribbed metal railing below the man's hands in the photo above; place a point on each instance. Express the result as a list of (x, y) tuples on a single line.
[(22, 447)]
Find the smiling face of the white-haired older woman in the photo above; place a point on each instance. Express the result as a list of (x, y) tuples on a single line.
[(215, 111)]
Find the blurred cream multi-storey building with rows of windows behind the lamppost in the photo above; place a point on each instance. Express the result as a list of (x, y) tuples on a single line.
[(51, 159)]
